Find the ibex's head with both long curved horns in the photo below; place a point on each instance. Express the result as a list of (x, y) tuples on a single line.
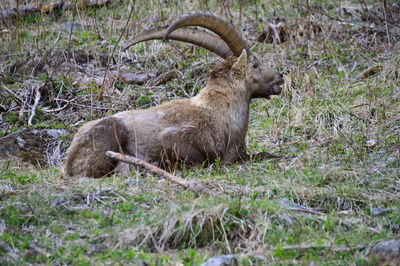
[(260, 80)]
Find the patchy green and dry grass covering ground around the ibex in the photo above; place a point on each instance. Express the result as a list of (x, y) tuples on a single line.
[(337, 121)]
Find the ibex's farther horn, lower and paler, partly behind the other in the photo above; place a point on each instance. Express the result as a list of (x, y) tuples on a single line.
[(194, 36)]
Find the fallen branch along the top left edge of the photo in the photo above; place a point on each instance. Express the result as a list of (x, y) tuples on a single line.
[(25, 11)]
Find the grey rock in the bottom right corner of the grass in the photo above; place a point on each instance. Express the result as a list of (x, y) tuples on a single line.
[(386, 252)]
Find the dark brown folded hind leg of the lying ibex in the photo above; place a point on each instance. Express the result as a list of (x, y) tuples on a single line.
[(87, 154)]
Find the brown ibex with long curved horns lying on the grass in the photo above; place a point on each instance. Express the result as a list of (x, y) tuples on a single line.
[(200, 129)]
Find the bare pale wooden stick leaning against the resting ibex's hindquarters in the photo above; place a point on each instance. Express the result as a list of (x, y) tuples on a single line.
[(170, 177)]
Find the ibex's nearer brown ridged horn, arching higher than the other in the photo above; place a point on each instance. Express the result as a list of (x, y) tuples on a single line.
[(222, 28)]
